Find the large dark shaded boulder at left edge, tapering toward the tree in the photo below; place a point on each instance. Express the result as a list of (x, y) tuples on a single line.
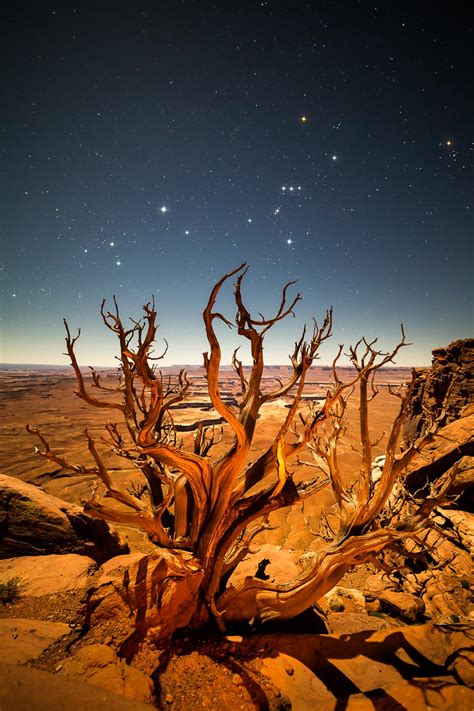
[(35, 523)]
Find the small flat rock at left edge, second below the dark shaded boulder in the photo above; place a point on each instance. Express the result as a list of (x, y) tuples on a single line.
[(22, 639)]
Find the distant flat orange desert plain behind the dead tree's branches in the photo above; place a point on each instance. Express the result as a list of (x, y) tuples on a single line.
[(46, 399)]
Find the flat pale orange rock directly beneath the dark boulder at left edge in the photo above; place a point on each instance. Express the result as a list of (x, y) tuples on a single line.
[(47, 575)]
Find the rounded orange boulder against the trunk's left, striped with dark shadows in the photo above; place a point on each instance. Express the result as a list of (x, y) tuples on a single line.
[(156, 592)]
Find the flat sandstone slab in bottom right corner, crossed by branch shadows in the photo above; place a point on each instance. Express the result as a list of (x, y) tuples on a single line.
[(397, 668)]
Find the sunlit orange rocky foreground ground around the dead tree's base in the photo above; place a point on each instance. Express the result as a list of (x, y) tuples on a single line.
[(386, 648)]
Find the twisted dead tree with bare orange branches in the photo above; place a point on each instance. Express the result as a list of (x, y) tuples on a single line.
[(215, 506)]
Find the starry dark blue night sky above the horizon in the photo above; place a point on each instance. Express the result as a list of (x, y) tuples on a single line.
[(148, 148)]
